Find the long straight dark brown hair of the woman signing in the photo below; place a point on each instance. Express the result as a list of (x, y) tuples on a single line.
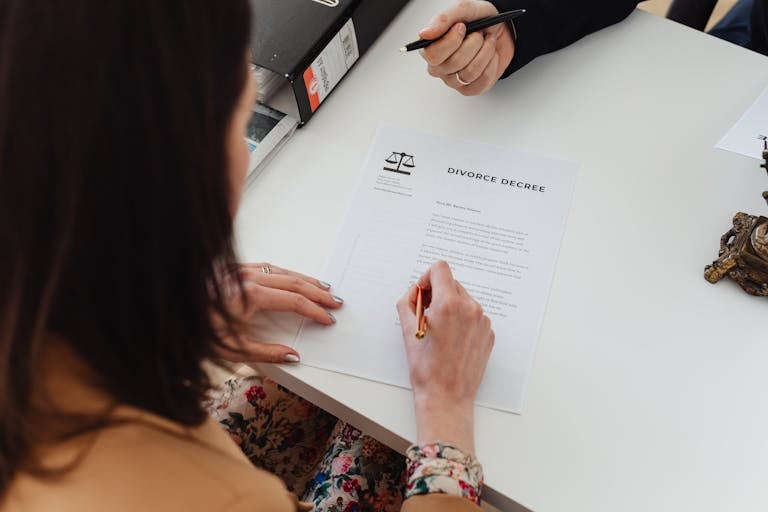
[(114, 195)]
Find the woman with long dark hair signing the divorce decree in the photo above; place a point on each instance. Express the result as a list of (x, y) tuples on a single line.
[(122, 163)]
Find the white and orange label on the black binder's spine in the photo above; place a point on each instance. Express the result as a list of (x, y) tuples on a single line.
[(331, 65)]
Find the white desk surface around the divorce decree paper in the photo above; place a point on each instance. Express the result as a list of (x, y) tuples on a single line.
[(650, 386)]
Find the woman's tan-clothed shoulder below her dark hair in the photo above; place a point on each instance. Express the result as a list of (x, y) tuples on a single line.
[(142, 466)]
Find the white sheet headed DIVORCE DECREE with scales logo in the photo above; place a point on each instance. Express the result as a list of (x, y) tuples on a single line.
[(496, 215)]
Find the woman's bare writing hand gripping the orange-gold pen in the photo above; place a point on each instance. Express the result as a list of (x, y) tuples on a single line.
[(447, 365)]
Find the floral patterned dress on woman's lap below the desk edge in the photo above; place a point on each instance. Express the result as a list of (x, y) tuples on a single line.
[(321, 459)]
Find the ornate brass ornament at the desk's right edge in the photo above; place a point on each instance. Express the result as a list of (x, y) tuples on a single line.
[(743, 255)]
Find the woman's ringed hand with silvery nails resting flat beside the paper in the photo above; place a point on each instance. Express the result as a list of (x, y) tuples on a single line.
[(273, 289)]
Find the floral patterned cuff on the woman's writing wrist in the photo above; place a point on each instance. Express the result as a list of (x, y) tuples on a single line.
[(443, 468)]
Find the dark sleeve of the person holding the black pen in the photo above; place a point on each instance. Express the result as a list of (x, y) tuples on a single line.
[(549, 25)]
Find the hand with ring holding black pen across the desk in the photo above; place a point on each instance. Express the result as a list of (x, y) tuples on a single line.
[(470, 62)]
